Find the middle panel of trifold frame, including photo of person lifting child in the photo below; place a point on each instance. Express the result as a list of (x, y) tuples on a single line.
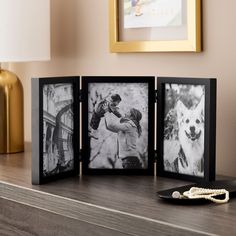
[(118, 125)]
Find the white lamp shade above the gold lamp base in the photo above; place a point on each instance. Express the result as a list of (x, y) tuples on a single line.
[(24, 30)]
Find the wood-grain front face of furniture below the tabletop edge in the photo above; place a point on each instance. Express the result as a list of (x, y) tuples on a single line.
[(19, 219)]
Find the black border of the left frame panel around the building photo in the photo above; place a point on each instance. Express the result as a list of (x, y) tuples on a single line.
[(37, 128)]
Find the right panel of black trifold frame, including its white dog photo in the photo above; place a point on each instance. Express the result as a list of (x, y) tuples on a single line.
[(186, 128)]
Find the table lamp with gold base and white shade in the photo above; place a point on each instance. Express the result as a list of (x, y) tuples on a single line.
[(24, 36)]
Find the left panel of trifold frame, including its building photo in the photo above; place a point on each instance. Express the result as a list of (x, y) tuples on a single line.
[(55, 128)]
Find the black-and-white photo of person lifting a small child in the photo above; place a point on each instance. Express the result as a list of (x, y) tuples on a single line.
[(118, 125)]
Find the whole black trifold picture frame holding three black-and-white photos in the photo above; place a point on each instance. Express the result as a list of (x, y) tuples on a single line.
[(119, 119)]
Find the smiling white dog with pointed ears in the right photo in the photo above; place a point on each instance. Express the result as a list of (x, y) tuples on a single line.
[(191, 138)]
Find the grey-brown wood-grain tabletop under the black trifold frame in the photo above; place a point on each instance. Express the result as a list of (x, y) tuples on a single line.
[(126, 204)]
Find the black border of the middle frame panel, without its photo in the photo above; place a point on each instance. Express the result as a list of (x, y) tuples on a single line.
[(85, 127)]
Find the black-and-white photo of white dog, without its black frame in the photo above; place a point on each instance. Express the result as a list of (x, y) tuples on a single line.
[(184, 135)]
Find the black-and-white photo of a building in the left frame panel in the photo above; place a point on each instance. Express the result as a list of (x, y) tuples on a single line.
[(58, 124)]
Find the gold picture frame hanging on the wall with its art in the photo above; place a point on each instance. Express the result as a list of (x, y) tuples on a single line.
[(155, 25)]
